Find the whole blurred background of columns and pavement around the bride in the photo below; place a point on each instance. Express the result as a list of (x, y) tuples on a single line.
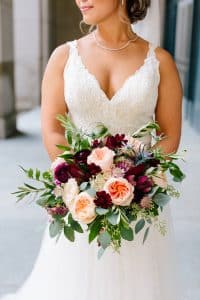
[(29, 31)]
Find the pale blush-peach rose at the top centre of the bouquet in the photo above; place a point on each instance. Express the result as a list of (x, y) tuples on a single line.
[(102, 157)]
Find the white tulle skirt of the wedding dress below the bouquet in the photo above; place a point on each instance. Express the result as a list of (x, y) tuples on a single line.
[(71, 270)]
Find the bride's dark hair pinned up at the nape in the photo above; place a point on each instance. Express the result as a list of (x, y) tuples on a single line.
[(137, 9)]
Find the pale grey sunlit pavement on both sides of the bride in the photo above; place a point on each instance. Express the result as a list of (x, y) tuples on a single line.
[(22, 225)]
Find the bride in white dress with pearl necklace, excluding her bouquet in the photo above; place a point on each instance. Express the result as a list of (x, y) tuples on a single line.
[(115, 76)]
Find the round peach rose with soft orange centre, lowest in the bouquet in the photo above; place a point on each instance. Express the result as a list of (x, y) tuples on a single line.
[(83, 208)]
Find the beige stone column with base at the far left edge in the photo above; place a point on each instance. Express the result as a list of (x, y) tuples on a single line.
[(7, 99)]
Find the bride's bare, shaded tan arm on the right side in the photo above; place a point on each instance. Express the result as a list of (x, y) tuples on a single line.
[(169, 106)]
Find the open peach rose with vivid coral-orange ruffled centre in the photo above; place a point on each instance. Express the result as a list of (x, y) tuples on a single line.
[(120, 190)]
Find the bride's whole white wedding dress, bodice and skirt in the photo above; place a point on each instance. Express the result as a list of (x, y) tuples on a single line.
[(71, 271)]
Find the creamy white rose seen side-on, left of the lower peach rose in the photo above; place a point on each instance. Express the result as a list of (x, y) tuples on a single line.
[(70, 191)]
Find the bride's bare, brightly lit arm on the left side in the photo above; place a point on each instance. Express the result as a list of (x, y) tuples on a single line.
[(53, 102)]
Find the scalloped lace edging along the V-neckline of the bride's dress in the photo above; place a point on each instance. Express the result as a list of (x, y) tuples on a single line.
[(92, 76)]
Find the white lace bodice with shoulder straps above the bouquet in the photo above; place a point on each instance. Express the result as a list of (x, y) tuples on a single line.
[(131, 107)]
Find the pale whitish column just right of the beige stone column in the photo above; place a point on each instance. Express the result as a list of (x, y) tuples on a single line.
[(27, 33)]
